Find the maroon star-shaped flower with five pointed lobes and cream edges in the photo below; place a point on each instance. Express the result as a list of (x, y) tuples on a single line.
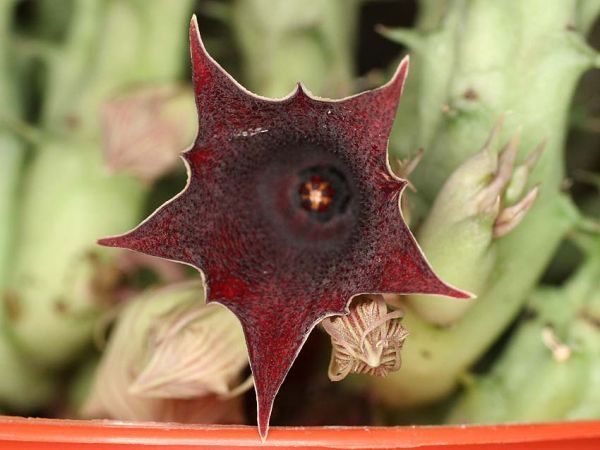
[(280, 264)]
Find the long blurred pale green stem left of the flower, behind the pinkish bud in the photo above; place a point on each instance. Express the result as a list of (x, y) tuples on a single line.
[(61, 279)]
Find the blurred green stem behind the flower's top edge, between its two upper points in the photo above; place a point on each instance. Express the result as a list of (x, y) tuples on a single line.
[(283, 42)]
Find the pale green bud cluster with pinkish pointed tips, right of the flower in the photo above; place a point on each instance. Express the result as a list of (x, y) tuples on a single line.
[(469, 213)]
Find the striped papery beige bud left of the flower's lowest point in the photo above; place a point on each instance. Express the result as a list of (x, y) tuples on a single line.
[(193, 351)]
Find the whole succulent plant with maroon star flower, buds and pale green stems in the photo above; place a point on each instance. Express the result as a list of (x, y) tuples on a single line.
[(292, 214)]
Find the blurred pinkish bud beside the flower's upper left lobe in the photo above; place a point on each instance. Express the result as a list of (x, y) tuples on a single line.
[(145, 131)]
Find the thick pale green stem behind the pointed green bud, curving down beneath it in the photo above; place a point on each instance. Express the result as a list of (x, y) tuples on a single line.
[(472, 61)]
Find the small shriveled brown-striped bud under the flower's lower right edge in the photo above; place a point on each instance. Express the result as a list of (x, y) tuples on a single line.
[(368, 340)]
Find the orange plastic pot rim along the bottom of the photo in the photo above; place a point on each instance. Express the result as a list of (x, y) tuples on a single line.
[(23, 433)]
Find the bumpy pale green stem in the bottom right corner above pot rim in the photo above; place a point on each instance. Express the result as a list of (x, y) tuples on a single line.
[(549, 370)]
